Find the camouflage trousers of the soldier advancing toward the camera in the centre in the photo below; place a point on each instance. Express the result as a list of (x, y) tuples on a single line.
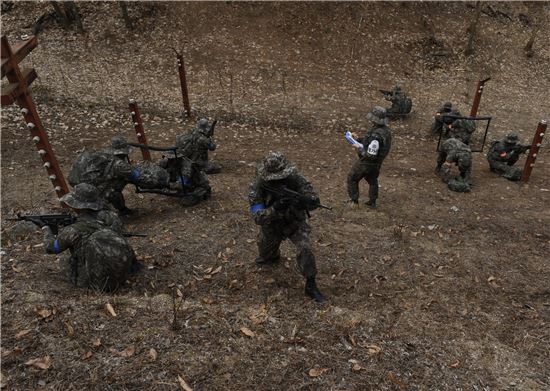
[(272, 235)]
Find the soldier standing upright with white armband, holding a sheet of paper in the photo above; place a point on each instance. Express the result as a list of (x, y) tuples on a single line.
[(376, 145)]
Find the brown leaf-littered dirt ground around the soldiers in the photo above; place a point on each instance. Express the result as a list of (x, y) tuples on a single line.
[(433, 290)]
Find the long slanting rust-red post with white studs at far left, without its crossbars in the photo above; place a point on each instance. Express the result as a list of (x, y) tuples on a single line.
[(32, 119)]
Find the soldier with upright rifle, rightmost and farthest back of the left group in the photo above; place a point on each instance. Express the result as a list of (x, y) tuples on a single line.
[(195, 146)]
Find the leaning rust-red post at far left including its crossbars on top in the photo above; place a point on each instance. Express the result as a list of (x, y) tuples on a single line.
[(17, 91)]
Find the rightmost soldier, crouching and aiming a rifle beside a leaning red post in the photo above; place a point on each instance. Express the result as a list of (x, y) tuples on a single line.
[(503, 154)]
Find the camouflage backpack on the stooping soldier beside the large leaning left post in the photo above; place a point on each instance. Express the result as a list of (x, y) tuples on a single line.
[(90, 167)]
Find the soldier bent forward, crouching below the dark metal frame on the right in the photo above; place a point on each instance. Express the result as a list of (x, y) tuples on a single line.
[(454, 151)]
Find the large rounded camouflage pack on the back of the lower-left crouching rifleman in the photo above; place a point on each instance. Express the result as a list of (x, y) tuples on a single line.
[(105, 260)]
